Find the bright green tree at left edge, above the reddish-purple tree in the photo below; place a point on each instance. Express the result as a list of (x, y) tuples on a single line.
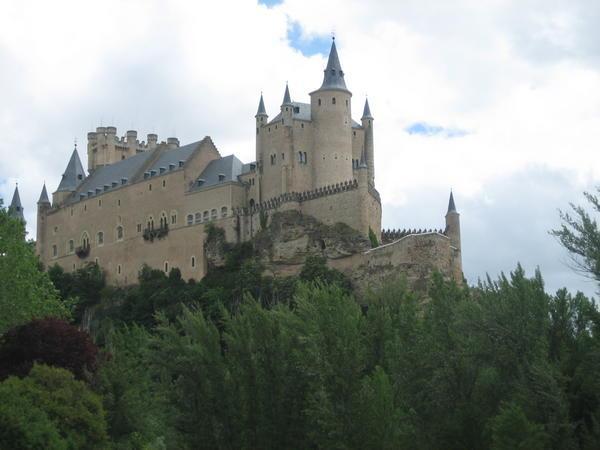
[(26, 292)]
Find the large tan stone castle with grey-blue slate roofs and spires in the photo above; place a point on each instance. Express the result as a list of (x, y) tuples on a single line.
[(148, 202)]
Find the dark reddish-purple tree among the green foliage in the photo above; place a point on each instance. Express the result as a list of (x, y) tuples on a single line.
[(47, 341)]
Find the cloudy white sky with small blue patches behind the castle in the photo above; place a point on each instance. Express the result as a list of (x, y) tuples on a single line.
[(497, 100)]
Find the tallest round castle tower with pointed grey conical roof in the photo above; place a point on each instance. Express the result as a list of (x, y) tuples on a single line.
[(330, 112)]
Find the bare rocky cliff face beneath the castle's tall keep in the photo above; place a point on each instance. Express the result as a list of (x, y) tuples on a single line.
[(291, 236)]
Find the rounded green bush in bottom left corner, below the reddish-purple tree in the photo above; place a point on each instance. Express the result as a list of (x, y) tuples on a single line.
[(49, 409)]
